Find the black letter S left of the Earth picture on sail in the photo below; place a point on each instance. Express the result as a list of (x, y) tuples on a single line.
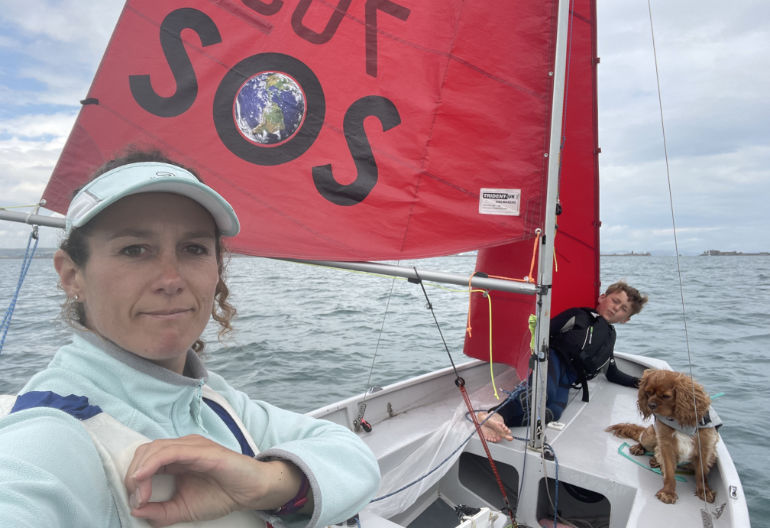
[(178, 61)]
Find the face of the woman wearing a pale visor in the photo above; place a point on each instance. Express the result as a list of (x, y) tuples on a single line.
[(151, 275)]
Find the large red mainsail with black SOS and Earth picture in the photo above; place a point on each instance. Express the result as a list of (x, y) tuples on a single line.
[(380, 129)]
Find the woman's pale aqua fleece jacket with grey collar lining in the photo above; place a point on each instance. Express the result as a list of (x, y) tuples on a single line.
[(52, 475)]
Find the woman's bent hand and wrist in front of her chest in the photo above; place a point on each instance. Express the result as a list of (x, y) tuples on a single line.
[(211, 481)]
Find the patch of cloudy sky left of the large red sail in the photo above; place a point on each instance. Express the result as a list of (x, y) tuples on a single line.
[(50, 51)]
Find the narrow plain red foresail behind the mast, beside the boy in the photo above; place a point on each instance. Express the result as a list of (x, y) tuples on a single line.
[(576, 266)]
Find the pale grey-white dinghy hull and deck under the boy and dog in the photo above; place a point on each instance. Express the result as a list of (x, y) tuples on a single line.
[(422, 422)]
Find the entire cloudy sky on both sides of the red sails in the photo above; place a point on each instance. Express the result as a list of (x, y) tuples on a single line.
[(707, 189)]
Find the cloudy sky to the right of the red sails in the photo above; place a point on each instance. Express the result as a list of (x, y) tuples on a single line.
[(714, 78)]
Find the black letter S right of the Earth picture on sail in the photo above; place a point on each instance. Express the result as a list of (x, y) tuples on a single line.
[(358, 144)]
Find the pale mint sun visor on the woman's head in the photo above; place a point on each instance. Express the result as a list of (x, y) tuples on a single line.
[(148, 176)]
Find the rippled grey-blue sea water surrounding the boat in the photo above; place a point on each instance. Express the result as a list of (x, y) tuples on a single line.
[(306, 336)]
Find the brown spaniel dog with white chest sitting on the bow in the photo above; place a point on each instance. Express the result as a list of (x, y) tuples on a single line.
[(683, 431)]
